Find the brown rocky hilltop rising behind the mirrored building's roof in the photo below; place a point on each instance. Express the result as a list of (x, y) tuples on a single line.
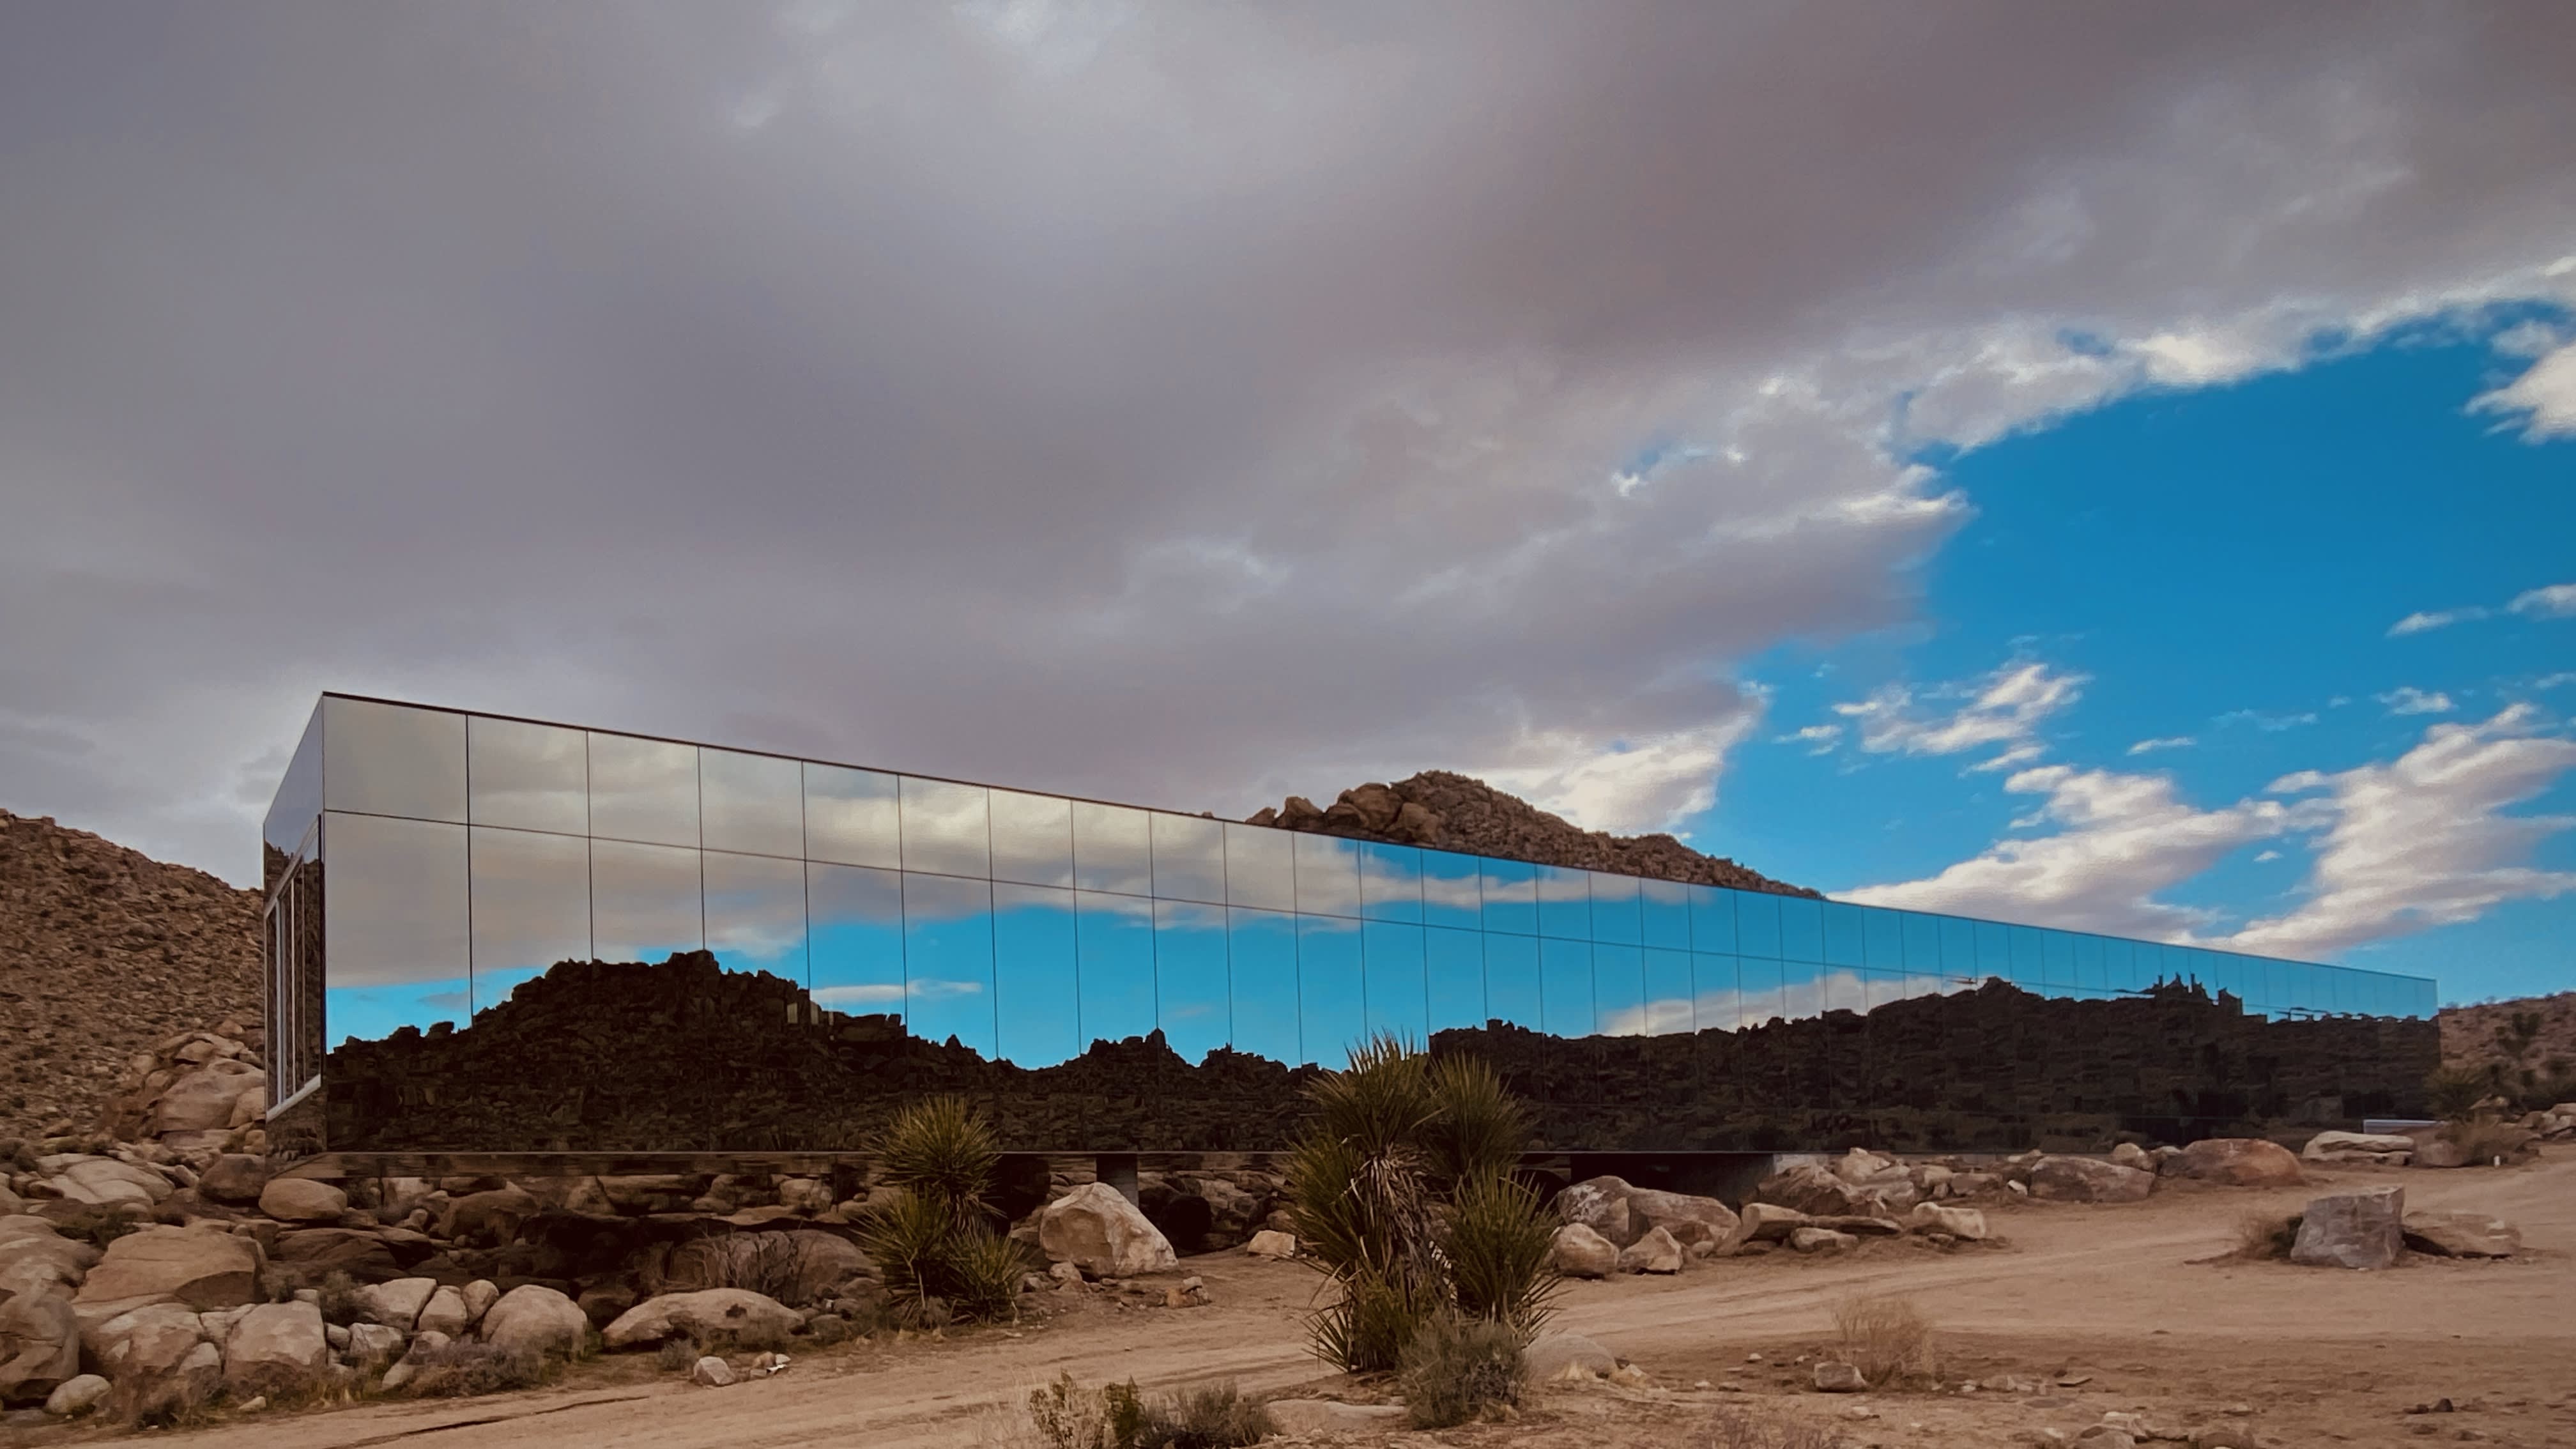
[(1459, 813)]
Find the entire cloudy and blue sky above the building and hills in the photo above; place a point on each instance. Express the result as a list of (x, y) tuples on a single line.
[(2108, 468)]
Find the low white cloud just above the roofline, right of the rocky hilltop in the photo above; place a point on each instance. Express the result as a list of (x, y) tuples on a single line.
[(2121, 842)]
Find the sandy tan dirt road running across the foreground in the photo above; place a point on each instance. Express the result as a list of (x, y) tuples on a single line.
[(2119, 1296)]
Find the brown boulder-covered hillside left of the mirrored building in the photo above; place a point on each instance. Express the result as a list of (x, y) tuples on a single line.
[(104, 955)]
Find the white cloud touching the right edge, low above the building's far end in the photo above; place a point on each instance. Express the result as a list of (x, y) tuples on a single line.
[(2425, 839)]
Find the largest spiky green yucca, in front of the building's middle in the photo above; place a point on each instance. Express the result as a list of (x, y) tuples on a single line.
[(1400, 1192)]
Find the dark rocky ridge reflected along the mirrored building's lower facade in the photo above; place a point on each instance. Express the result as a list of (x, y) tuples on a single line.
[(692, 1058)]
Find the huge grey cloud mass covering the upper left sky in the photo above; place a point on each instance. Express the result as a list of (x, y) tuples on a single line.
[(1166, 404)]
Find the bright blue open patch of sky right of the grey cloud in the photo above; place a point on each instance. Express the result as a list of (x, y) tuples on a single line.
[(2217, 579)]
